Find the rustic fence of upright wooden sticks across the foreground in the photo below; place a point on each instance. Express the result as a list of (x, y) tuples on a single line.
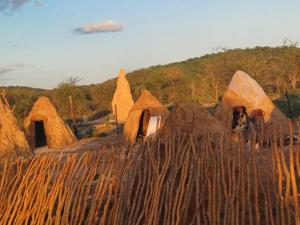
[(183, 180)]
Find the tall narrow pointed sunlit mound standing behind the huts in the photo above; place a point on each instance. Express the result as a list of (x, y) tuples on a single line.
[(122, 99)]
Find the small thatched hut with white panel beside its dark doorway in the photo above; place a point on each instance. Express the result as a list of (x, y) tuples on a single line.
[(145, 118)]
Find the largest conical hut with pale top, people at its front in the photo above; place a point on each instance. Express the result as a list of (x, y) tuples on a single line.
[(244, 91)]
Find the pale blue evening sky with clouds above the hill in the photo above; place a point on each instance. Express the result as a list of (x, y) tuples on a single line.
[(43, 42)]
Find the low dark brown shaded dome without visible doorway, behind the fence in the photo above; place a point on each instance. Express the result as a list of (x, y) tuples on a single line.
[(189, 117)]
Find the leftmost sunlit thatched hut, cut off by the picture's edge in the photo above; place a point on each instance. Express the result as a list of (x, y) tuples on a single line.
[(12, 140)]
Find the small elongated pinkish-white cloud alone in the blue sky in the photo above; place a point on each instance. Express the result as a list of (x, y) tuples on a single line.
[(102, 27)]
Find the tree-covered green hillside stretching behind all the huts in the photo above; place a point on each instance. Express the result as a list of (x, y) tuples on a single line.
[(201, 79)]
